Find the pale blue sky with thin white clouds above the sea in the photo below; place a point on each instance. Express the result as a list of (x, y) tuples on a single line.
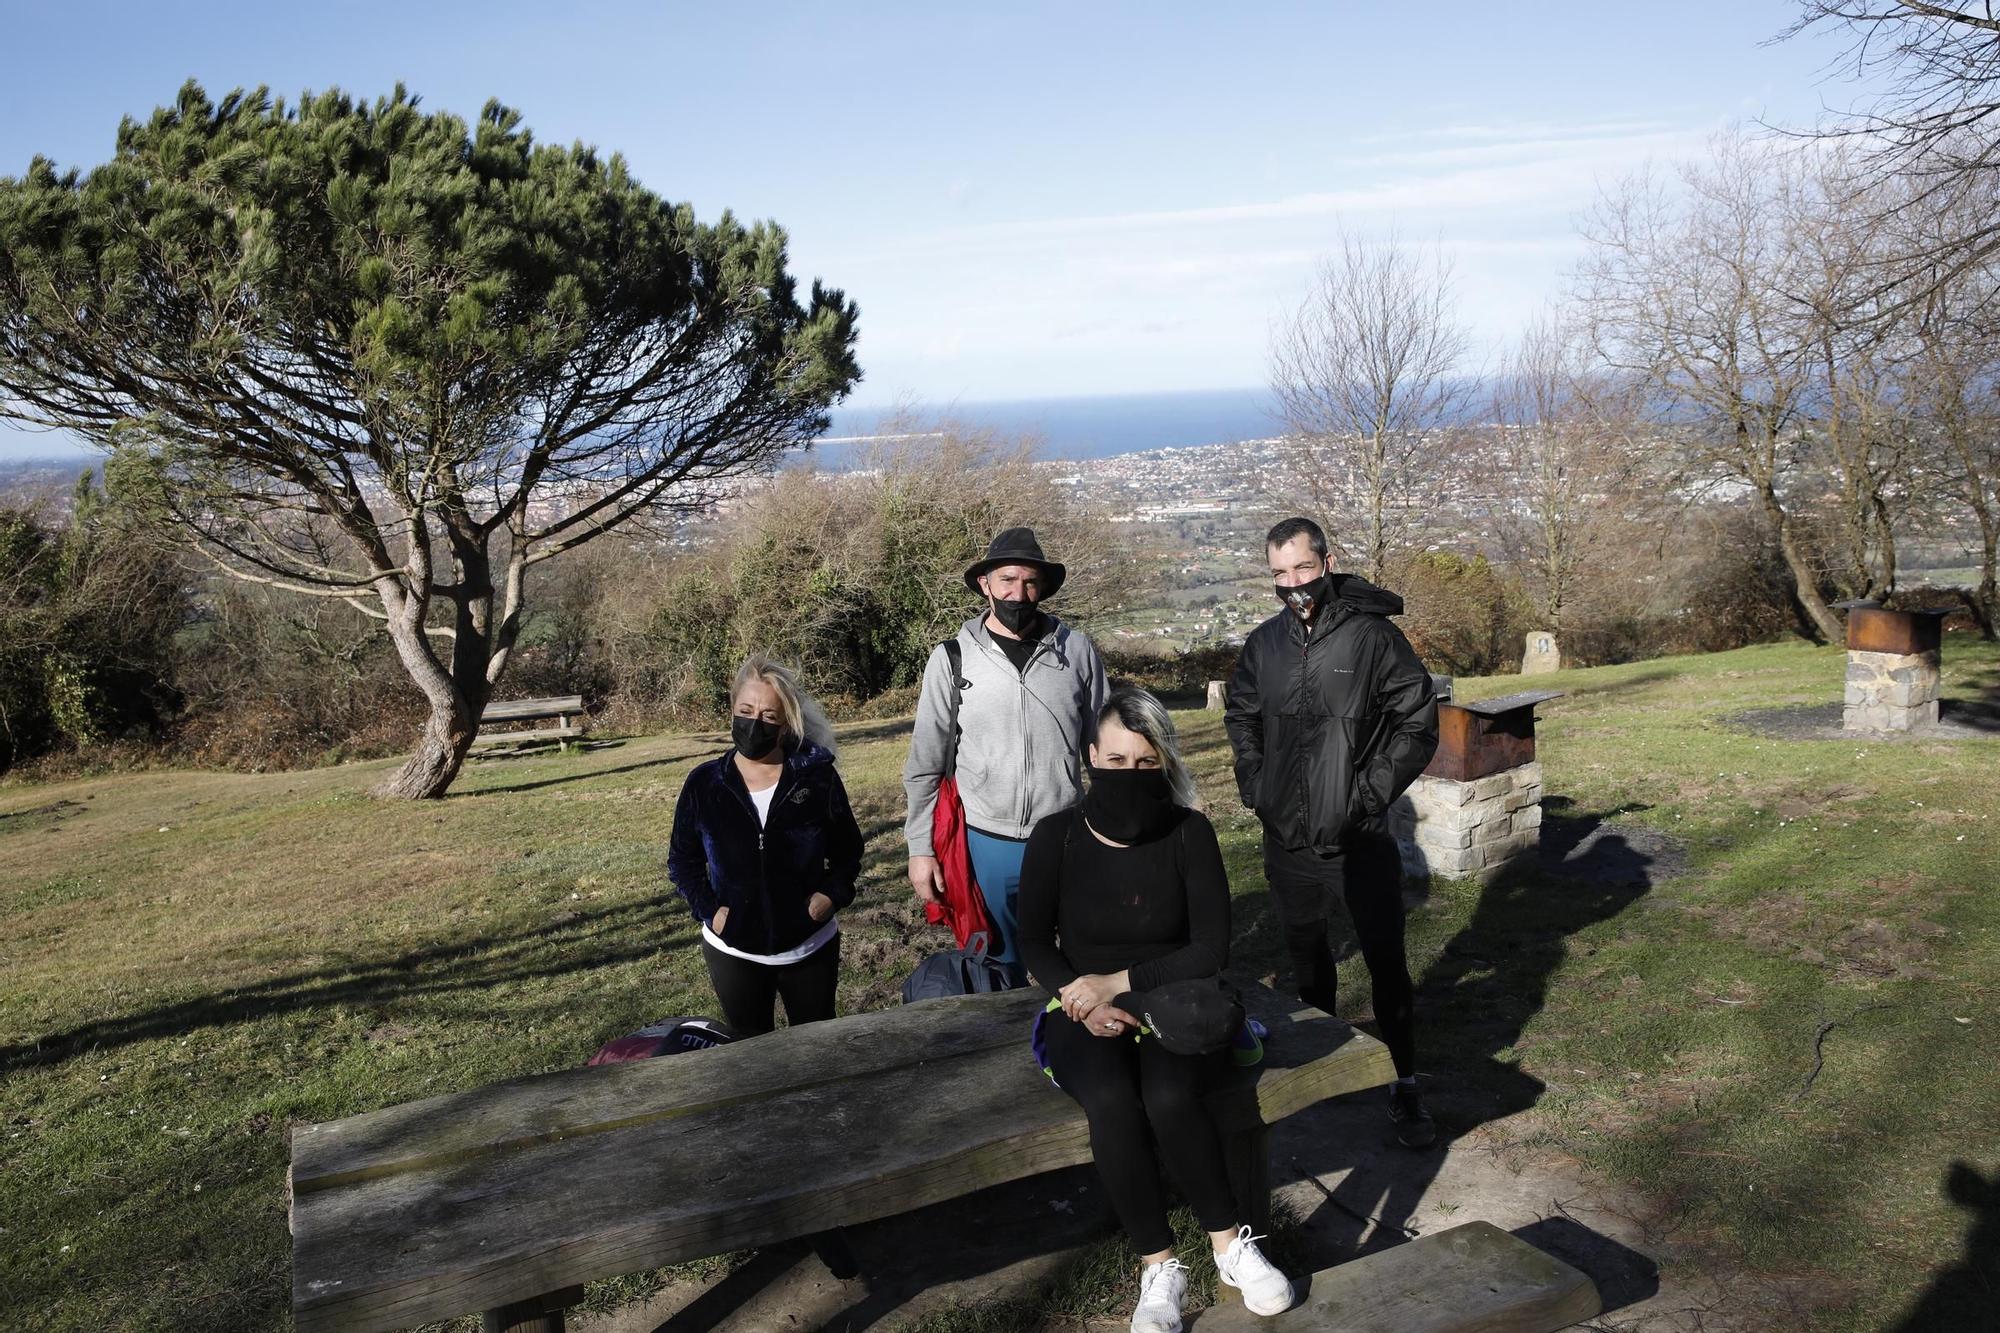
[(1027, 199)]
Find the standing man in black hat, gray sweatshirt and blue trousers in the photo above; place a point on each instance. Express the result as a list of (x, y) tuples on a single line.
[(1019, 718)]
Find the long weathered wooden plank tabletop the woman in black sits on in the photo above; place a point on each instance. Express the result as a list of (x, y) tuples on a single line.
[(509, 1198)]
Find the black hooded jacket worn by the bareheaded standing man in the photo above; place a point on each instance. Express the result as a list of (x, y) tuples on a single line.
[(1331, 722)]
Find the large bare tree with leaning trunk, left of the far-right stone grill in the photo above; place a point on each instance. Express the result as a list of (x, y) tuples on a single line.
[(1693, 291)]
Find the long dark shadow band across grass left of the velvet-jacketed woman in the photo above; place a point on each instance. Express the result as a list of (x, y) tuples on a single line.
[(591, 940)]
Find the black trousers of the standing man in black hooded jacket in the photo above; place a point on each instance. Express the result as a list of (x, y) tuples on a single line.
[(1367, 874)]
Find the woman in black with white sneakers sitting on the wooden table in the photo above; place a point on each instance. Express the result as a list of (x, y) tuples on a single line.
[(1127, 894)]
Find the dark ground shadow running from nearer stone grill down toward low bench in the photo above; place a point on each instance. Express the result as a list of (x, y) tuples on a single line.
[(1475, 1004)]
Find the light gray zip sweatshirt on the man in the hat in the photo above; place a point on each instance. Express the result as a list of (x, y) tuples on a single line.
[(1023, 734)]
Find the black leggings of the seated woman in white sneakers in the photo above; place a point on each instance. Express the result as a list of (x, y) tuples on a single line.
[(1137, 1094)]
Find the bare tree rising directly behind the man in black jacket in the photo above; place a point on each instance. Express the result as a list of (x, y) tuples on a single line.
[(1369, 379)]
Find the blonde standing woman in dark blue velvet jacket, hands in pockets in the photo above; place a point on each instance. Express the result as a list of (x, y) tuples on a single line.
[(765, 852)]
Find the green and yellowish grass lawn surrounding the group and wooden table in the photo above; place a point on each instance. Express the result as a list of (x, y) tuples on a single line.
[(197, 962)]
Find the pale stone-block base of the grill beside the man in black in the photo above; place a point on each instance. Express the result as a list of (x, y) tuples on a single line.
[(1459, 830)]
